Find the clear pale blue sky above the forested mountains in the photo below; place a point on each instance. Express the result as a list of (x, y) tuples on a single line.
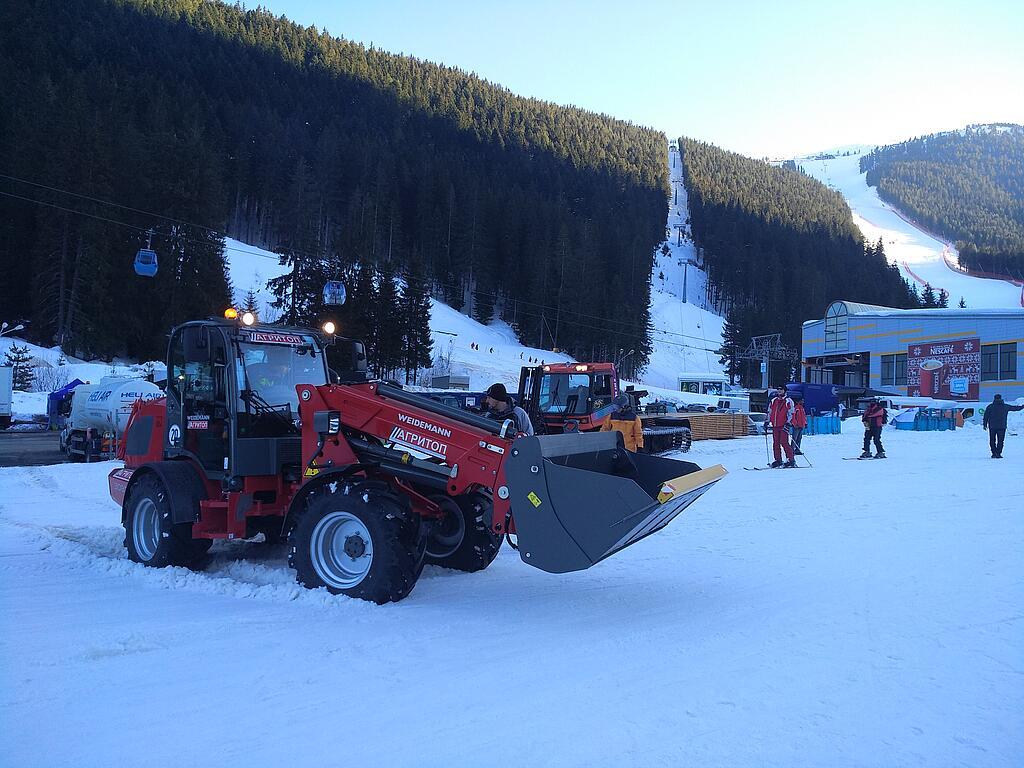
[(758, 77)]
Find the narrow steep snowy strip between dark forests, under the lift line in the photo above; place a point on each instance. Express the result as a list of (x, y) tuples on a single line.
[(687, 335)]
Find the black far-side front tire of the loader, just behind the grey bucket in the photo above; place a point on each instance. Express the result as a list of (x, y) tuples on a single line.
[(468, 544)]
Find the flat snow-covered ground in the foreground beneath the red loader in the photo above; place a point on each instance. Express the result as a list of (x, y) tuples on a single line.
[(857, 614)]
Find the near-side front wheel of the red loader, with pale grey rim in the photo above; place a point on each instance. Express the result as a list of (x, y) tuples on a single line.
[(336, 532)]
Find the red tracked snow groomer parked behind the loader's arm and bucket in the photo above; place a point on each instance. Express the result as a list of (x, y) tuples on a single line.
[(577, 398)]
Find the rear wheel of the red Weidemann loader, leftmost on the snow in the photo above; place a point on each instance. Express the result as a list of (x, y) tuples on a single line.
[(151, 538)]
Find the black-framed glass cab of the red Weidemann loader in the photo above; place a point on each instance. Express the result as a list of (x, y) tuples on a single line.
[(232, 402)]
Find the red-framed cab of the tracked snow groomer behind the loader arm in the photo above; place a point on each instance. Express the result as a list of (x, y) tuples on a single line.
[(569, 397)]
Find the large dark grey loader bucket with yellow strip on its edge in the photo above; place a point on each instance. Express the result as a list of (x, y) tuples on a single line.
[(580, 498)]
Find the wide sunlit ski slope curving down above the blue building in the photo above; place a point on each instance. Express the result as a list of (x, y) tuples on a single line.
[(921, 258)]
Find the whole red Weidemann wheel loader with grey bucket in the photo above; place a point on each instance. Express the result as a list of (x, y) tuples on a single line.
[(367, 483)]
